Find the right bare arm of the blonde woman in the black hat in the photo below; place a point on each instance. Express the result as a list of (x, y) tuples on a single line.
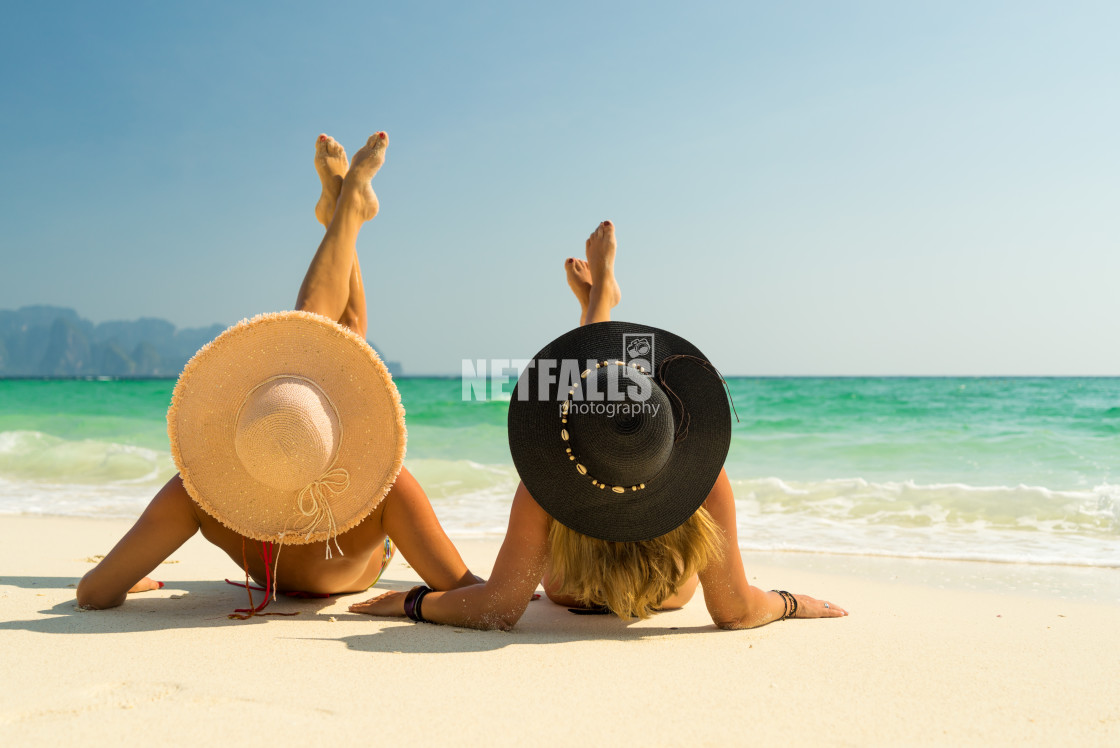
[(732, 601)]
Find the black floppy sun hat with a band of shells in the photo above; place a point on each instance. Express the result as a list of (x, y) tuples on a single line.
[(620, 431)]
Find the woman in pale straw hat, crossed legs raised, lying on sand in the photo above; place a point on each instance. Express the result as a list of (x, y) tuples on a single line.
[(290, 437)]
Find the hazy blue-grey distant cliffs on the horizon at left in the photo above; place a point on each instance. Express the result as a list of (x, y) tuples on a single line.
[(55, 342)]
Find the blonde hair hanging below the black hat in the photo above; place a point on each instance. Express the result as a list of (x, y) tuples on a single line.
[(632, 579)]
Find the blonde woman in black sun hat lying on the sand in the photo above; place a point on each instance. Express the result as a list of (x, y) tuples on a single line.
[(619, 433)]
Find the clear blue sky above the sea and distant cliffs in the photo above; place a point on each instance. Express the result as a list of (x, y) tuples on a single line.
[(800, 189)]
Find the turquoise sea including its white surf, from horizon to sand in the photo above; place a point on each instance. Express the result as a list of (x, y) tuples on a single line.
[(1005, 470)]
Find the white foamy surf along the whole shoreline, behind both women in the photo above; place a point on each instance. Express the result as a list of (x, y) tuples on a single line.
[(42, 474)]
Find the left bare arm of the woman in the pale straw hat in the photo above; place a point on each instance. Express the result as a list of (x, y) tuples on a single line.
[(169, 522)]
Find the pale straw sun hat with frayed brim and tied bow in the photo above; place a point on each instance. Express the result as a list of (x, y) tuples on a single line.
[(287, 428)]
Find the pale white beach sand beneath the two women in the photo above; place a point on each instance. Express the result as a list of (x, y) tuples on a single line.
[(934, 653)]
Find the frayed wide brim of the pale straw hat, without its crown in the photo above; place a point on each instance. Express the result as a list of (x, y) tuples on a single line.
[(202, 423)]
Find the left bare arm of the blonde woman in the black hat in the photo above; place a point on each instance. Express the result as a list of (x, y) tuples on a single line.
[(502, 601)]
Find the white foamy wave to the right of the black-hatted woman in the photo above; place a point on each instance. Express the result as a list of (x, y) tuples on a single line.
[(1016, 525)]
